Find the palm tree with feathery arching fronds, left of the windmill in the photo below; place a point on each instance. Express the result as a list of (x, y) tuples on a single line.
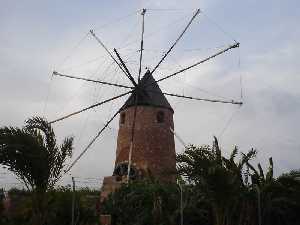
[(33, 155)]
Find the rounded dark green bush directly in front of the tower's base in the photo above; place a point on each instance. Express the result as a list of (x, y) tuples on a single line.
[(143, 202)]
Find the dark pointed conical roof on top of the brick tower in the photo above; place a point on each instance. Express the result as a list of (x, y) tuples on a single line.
[(148, 94)]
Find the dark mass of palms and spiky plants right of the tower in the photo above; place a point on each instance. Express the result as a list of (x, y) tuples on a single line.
[(224, 184)]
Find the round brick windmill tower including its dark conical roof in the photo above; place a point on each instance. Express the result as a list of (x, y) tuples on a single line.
[(149, 113)]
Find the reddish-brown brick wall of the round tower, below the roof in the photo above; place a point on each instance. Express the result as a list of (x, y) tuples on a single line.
[(153, 144)]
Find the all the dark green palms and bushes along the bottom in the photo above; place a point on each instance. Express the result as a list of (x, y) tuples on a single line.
[(216, 190)]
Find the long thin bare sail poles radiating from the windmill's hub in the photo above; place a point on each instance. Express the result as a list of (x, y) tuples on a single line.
[(143, 89)]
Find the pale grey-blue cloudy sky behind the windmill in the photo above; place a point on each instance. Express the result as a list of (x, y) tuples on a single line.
[(37, 37)]
